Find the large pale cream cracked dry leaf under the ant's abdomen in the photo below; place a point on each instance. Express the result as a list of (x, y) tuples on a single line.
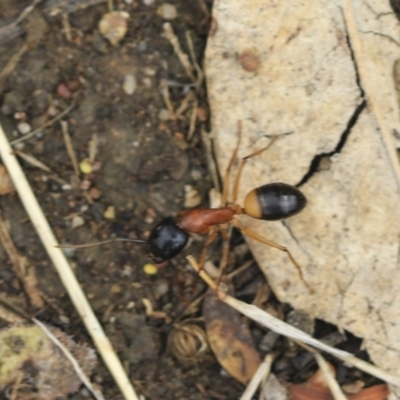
[(306, 81)]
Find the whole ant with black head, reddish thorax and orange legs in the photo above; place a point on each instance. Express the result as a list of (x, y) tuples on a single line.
[(270, 202)]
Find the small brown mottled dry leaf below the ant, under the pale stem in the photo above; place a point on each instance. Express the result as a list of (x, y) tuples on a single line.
[(230, 339)]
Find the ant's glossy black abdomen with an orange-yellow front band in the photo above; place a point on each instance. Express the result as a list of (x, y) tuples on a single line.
[(274, 201)]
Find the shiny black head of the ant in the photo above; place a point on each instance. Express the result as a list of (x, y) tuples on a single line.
[(166, 240)]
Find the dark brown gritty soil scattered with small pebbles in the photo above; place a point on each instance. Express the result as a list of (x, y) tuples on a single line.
[(144, 165)]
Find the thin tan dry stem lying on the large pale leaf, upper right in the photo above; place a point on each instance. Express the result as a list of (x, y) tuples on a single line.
[(365, 77)]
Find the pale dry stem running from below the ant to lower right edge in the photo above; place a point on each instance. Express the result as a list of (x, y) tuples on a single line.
[(278, 326)]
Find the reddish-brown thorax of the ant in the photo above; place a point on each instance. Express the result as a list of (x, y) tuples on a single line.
[(201, 220)]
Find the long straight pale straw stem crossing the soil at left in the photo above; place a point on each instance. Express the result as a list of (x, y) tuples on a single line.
[(64, 270)]
